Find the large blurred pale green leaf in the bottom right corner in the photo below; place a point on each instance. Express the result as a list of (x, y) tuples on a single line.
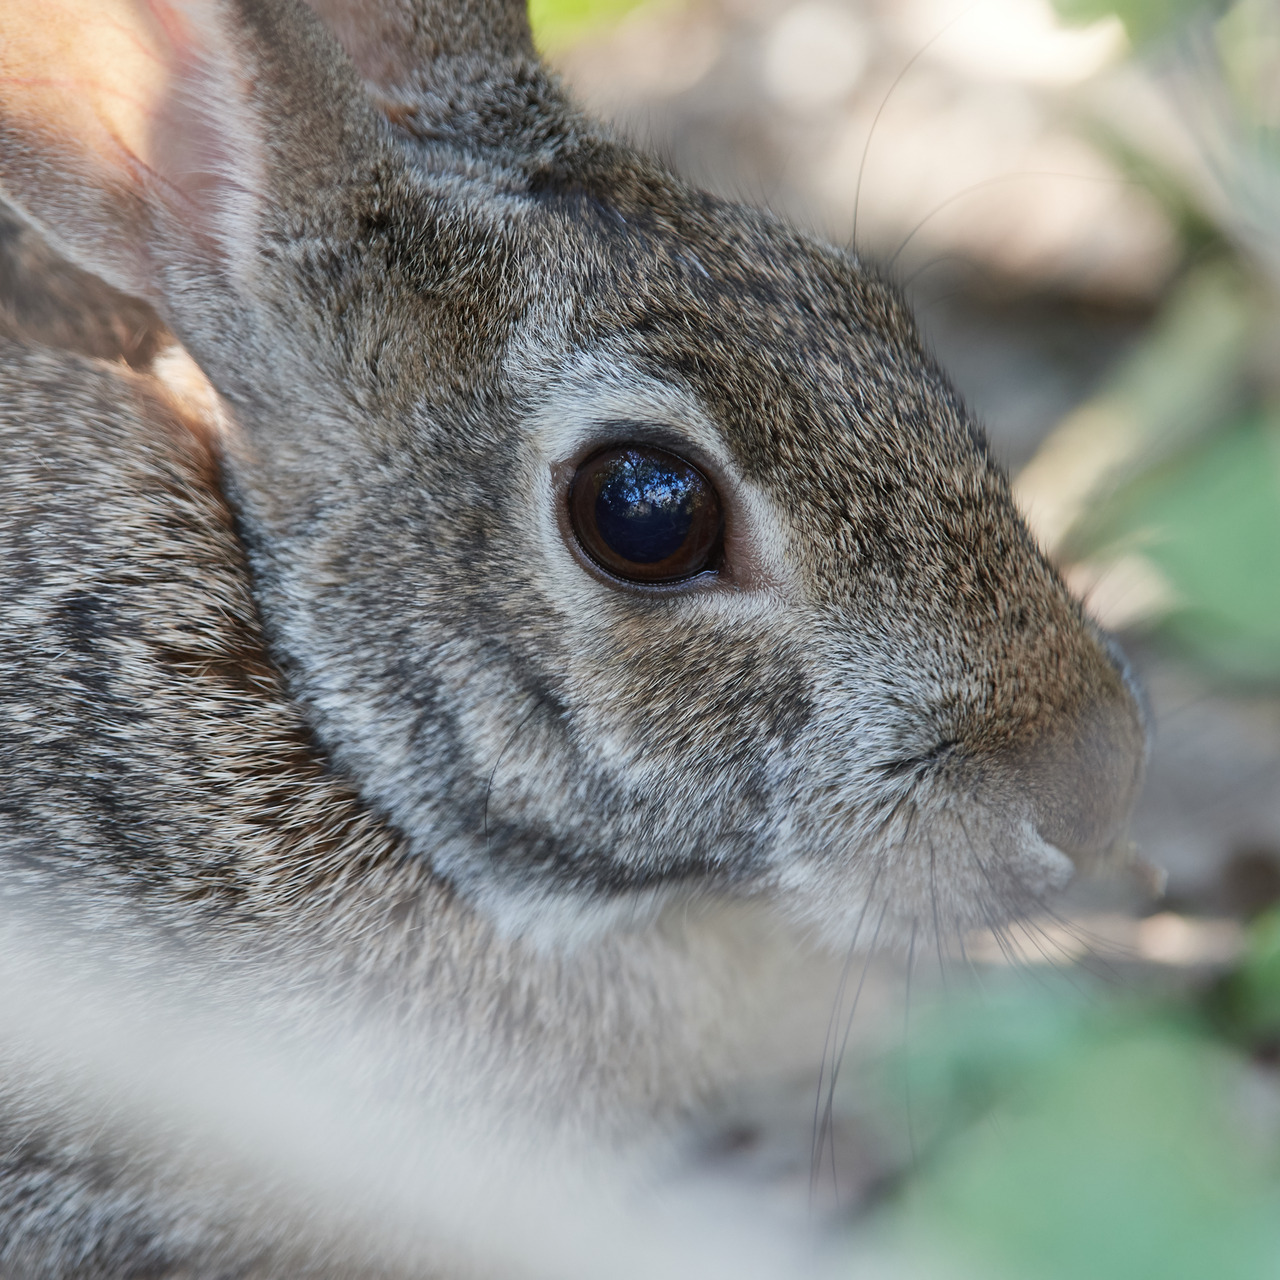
[(1121, 1163)]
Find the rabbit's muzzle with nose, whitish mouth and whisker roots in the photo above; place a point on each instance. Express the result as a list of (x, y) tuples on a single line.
[(959, 789)]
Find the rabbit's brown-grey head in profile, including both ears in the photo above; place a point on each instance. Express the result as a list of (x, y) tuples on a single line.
[(619, 542)]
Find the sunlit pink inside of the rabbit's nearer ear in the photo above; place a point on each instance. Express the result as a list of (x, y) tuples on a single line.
[(118, 115)]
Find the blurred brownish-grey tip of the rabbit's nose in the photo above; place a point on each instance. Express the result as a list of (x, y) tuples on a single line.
[(1084, 779)]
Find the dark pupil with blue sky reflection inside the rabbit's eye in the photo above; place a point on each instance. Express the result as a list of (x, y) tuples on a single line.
[(646, 508)]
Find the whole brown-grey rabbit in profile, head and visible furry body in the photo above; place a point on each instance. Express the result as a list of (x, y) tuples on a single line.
[(557, 560)]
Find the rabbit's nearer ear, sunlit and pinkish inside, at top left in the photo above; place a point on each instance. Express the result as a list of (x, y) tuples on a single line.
[(147, 138)]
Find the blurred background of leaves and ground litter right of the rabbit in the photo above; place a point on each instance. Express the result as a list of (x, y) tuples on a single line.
[(1082, 200)]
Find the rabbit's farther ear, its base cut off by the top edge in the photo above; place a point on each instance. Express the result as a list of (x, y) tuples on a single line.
[(395, 43)]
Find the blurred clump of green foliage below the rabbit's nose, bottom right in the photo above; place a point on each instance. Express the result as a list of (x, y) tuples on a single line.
[(1086, 1137)]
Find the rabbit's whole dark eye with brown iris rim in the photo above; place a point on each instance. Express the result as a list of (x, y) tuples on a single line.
[(646, 515)]
